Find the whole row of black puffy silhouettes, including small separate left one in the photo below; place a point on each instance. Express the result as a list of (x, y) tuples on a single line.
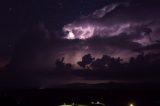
[(142, 62)]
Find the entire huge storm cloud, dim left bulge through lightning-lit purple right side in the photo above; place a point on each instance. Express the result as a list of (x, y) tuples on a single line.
[(119, 30)]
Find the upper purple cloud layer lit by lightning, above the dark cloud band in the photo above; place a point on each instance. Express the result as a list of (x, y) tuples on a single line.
[(115, 19)]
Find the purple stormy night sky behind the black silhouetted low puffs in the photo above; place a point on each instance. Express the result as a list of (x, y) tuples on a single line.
[(34, 33)]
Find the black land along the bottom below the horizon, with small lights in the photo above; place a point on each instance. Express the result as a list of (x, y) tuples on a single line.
[(121, 96)]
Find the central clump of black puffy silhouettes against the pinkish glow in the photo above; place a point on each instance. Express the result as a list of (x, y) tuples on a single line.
[(104, 63)]
